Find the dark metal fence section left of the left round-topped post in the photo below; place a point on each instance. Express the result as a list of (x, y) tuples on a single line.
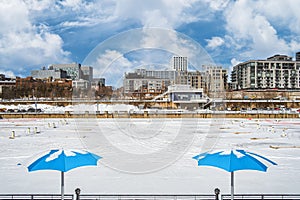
[(36, 196)]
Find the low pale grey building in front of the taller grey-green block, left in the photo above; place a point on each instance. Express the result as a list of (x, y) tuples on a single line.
[(49, 73)]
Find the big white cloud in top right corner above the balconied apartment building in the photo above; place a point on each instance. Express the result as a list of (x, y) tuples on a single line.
[(250, 23)]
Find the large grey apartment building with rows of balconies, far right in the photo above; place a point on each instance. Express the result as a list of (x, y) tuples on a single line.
[(276, 72)]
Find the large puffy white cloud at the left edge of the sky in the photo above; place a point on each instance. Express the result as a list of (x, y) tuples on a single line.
[(23, 43)]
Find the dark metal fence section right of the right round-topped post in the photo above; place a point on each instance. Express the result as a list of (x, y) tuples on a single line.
[(261, 196)]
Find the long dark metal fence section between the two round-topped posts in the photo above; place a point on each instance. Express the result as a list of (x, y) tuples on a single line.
[(146, 197)]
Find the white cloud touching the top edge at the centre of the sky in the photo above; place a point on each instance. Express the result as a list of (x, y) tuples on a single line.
[(160, 13)]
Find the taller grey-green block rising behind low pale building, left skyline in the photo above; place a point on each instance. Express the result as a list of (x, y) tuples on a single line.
[(73, 70)]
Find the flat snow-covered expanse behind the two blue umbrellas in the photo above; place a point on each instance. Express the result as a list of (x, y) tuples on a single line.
[(149, 155)]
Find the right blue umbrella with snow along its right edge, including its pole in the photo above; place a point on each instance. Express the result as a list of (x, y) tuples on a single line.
[(234, 160)]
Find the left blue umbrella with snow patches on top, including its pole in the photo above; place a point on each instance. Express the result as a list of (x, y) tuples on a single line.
[(64, 160)]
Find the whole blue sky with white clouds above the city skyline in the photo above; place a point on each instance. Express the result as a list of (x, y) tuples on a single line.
[(36, 33)]
